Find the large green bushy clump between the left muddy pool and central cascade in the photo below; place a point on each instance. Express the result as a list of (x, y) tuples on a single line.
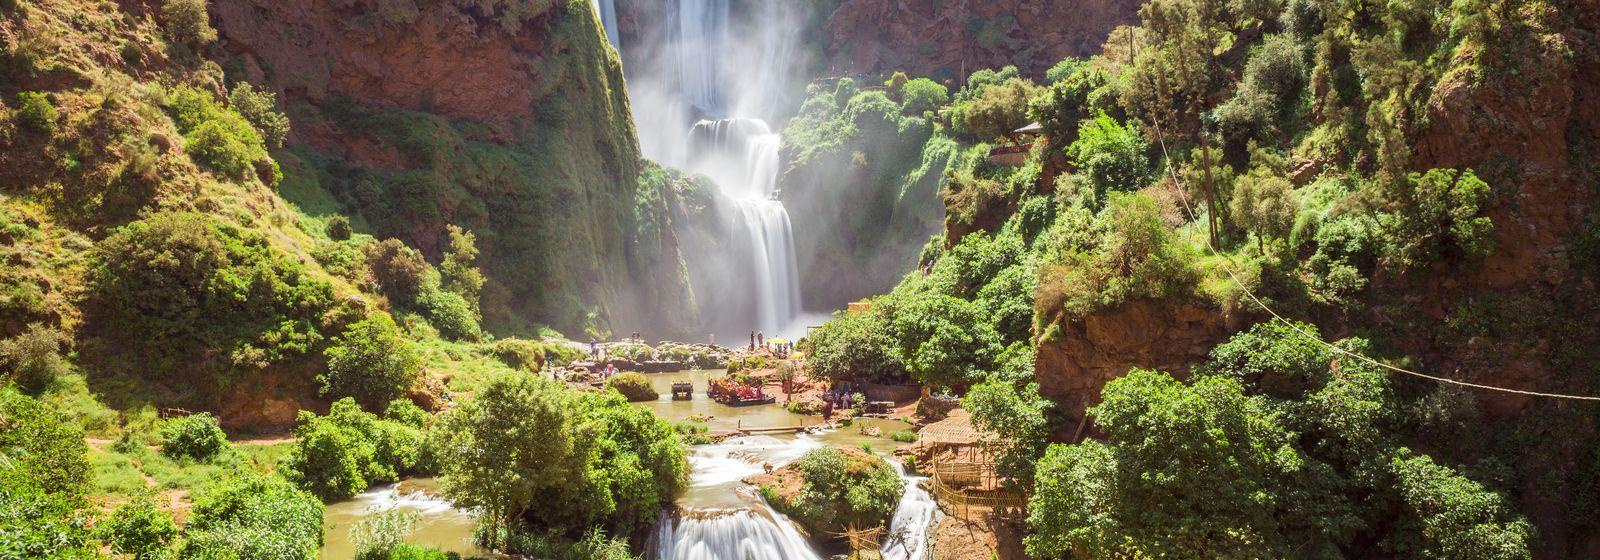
[(530, 452)]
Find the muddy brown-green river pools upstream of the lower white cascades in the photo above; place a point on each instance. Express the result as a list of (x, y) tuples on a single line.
[(714, 479)]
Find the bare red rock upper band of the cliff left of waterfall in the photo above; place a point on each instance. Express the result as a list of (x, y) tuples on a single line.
[(442, 60)]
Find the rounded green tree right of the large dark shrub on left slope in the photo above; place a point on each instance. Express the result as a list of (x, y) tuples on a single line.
[(372, 362)]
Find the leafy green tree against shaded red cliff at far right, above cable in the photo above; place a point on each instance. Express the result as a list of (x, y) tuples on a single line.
[(1439, 215)]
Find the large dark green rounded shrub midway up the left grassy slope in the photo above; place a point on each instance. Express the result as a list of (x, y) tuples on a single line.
[(185, 289)]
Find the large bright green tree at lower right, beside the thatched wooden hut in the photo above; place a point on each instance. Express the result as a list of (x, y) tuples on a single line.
[(1196, 471)]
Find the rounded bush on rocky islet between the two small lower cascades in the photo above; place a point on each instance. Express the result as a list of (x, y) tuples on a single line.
[(844, 489)]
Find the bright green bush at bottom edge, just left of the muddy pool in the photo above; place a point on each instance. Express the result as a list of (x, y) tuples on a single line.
[(250, 516)]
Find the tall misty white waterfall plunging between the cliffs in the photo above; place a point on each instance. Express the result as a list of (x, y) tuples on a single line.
[(706, 81)]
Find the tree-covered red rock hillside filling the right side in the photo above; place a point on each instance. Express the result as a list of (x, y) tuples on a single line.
[(1406, 185)]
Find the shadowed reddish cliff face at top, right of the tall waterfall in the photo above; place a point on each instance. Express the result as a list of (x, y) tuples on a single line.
[(962, 36)]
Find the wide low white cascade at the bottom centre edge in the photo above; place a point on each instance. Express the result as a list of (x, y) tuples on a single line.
[(729, 535)]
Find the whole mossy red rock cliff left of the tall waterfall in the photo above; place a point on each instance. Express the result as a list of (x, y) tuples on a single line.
[(511, 121)]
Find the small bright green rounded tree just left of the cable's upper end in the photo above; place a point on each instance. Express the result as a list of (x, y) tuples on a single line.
[(1111, 156)]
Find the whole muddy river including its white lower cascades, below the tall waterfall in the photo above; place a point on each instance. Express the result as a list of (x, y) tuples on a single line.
[(718, 519)]
